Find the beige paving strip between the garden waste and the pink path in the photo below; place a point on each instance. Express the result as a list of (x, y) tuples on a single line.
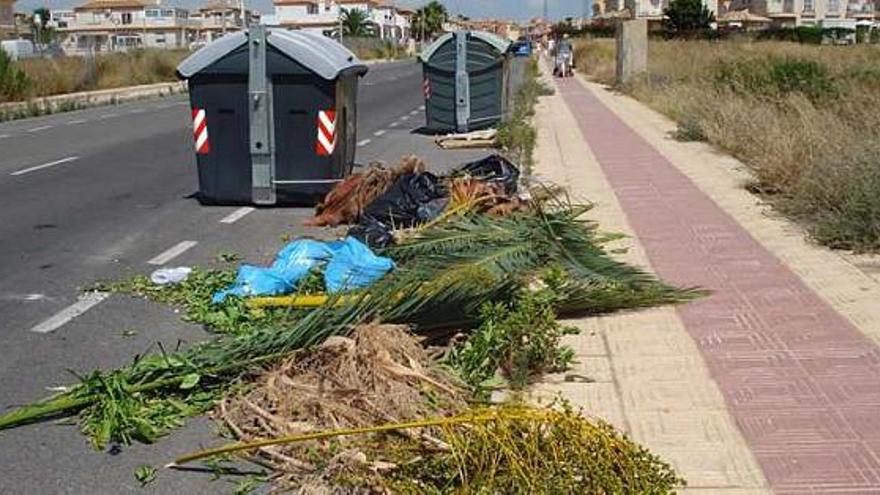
[(647, 368)]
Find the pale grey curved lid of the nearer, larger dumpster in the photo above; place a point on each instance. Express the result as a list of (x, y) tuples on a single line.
[(317, 53)]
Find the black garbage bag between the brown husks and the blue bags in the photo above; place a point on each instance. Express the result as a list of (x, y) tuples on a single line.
[(413, 199)]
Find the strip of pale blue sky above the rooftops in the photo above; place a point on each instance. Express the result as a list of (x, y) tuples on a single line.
[(519, 10)]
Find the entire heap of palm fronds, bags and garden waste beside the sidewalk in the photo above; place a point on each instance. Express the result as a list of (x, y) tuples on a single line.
[(441, 255)]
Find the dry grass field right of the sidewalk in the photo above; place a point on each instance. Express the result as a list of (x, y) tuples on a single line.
[(805, 118)]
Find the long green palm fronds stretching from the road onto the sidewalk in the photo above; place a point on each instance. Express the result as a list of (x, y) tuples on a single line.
[(445, 274)]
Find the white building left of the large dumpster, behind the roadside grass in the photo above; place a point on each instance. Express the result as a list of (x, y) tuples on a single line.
[(119, 25)]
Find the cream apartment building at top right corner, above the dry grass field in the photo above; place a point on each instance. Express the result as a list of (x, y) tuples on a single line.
[(792, 13)]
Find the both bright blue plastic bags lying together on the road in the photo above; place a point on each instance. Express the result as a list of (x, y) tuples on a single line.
[(349, 265)]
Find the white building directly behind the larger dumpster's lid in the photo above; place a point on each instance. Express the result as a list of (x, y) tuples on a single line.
[(389, 21)]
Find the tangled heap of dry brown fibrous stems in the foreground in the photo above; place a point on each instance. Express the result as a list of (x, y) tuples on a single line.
[(380, 374)]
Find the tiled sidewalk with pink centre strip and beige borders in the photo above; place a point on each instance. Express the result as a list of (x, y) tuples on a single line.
[(799, 379)]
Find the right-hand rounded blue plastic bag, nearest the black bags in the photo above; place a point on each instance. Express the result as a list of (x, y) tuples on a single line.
[(353, 266)]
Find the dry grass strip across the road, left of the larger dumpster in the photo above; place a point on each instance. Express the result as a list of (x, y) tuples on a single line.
[(70, 74)]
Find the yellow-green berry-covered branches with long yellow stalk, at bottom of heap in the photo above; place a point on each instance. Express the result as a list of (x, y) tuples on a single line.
[(496, 450)]
